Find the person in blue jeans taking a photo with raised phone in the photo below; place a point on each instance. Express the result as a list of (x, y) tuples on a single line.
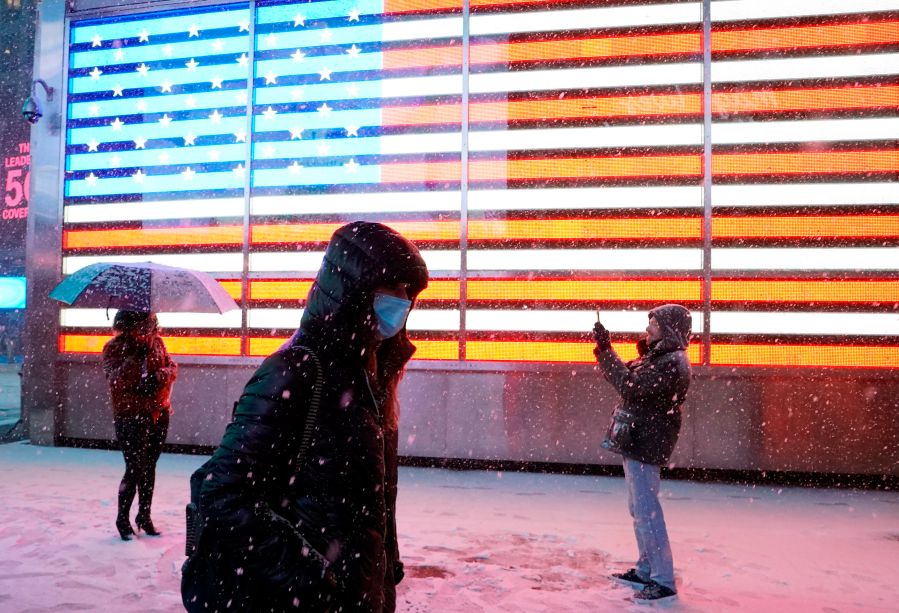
[(644, 430)]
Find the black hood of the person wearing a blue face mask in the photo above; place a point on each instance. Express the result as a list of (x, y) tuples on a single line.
[(361, 257)]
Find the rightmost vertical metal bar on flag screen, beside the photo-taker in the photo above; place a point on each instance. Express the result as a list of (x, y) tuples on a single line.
[(706, 181)]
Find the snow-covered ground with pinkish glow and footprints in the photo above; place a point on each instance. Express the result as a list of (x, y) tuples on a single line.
[(472, 541)]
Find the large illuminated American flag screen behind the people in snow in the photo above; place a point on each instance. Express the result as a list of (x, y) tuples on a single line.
[(556, 168)]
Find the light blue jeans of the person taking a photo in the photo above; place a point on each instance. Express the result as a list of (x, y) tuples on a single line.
[(655, 563)]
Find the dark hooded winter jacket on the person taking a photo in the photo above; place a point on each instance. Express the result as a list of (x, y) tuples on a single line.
[(646, 424)]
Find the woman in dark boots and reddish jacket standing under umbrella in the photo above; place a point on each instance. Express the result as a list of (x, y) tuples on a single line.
[(140, 374)]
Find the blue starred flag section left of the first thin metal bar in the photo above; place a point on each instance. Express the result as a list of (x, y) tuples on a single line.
[(157, 105)]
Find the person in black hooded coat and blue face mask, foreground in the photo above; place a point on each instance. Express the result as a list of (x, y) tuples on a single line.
[(321, 535)]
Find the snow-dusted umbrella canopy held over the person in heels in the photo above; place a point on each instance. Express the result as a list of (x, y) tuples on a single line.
[(143, 286)]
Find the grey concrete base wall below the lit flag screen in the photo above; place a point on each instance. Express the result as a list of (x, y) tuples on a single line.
[(818, 422)]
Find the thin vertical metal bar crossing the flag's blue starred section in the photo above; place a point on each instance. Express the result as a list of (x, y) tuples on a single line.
[(247, 188)]
